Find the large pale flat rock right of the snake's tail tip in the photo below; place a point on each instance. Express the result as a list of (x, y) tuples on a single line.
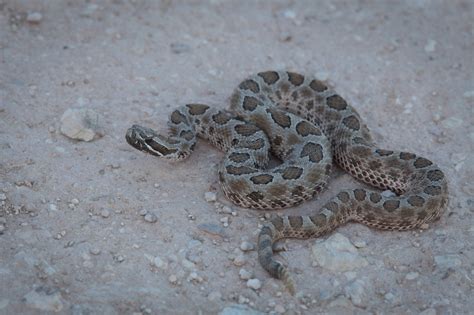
[(337, 254)]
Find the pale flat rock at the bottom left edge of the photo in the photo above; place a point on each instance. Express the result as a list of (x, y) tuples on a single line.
[(44, 299)]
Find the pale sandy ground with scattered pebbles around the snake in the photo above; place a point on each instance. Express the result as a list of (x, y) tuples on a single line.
[(73, 236)]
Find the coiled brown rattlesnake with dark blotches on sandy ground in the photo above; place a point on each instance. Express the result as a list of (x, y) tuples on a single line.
[(305, 125)]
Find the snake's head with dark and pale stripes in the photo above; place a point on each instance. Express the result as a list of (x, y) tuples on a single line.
[(147, 140)]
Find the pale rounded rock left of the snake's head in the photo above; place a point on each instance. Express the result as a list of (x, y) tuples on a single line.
[(81, 124)]
